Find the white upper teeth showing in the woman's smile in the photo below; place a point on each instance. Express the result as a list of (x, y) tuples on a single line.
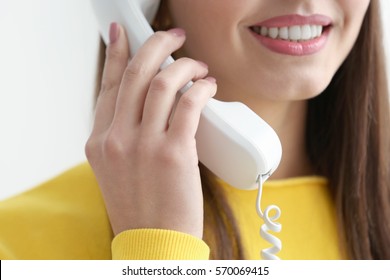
[(292, 33)]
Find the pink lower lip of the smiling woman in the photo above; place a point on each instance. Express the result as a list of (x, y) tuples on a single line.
[(294, 48)]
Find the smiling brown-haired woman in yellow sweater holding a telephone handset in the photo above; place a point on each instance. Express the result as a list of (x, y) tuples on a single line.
[(314, 70)]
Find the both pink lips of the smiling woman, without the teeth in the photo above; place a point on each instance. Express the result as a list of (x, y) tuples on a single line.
[(296, 48)]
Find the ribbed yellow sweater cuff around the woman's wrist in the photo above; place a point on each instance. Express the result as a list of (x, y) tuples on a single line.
[(158, 244)]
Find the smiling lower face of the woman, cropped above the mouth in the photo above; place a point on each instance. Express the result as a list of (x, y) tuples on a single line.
[(269, 49)]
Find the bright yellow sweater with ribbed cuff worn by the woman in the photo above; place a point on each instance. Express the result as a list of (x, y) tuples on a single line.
[(65, 218)]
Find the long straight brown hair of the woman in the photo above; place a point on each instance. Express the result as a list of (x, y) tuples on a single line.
[(348, 141)]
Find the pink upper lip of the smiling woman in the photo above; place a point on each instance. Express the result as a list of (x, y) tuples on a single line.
[(295, 19)]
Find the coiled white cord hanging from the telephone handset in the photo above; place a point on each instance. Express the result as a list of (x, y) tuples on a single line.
[(269, 224)]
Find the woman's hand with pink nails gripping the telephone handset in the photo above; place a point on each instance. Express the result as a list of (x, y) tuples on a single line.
[(145, 157)]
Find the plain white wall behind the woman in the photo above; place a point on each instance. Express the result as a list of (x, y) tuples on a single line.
[(48, 51)]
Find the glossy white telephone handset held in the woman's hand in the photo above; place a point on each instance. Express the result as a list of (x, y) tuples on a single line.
[(232, 141)]
